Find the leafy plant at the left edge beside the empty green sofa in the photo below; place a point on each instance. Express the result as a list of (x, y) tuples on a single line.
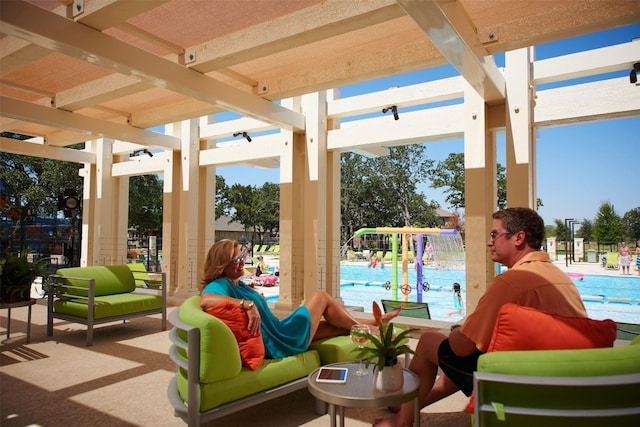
[(16, 276)]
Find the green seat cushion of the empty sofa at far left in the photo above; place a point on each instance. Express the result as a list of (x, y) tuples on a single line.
[(108, 305)]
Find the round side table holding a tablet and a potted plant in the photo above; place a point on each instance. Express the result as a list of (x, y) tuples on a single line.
[(360, 392)]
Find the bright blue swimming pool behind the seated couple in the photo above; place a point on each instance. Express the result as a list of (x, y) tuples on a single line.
[(605, 297)]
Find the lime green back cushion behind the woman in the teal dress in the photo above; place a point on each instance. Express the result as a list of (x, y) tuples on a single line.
[(219, 353)]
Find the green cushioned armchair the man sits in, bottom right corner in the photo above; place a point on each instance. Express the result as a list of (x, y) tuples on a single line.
[(592, 387)]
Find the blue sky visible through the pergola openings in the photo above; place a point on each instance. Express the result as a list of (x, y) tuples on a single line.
[(578, 167)]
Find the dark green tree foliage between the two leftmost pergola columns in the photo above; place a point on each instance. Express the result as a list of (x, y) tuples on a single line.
[(145, 204)]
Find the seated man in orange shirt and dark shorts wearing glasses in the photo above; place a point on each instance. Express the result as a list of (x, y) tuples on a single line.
[(531, 280)]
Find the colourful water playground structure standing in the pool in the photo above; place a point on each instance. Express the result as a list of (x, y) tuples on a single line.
[(447, 253)]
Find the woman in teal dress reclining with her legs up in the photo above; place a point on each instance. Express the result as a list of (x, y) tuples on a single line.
[(320, 316)]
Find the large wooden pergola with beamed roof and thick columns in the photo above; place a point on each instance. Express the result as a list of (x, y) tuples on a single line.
[(106, 71)]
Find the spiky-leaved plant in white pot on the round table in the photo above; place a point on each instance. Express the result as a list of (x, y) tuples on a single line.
[(384, 349)]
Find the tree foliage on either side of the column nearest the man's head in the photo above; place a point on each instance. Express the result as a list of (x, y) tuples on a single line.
[(449, 175)]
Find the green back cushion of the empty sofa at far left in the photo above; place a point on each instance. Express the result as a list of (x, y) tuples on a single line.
[(110, 280)]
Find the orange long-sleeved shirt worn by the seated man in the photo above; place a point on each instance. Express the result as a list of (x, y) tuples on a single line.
[(532, 282)]
